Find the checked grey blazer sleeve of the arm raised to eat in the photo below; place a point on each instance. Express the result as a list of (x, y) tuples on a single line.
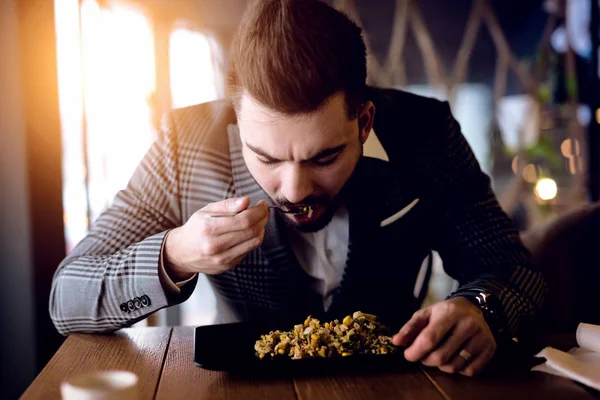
[(111, 279)]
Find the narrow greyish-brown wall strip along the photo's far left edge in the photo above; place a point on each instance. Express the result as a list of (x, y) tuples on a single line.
[(17, 344)]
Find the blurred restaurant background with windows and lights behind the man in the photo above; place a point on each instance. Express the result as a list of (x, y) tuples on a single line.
[(84, 84)]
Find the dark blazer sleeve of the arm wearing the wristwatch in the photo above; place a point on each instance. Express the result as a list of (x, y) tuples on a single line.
[(477, 241)]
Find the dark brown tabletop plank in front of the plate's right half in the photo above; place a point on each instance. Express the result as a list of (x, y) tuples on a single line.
[(408, 383)]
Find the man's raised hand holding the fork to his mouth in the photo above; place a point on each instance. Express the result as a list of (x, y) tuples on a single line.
[(215, 245)]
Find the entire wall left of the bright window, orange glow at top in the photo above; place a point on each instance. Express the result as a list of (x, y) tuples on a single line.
[(31, 228)]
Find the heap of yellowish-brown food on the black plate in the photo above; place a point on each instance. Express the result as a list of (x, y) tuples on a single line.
[(356, 334)]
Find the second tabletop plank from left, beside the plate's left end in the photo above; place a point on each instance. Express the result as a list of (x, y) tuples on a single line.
[(181, 379)]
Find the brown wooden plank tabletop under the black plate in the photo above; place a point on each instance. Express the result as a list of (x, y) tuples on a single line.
[(163, 360)]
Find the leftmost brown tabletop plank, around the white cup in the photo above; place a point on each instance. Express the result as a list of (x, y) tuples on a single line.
[(139, 350)]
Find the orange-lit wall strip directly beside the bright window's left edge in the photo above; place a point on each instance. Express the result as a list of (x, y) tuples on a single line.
[(39, 86)]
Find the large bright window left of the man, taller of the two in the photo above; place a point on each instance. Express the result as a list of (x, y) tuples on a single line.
[(112, 53)]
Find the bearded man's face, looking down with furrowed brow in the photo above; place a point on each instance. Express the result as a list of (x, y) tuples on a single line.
[(303, 160)]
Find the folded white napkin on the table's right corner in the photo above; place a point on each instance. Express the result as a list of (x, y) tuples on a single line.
[(582, 364)]
